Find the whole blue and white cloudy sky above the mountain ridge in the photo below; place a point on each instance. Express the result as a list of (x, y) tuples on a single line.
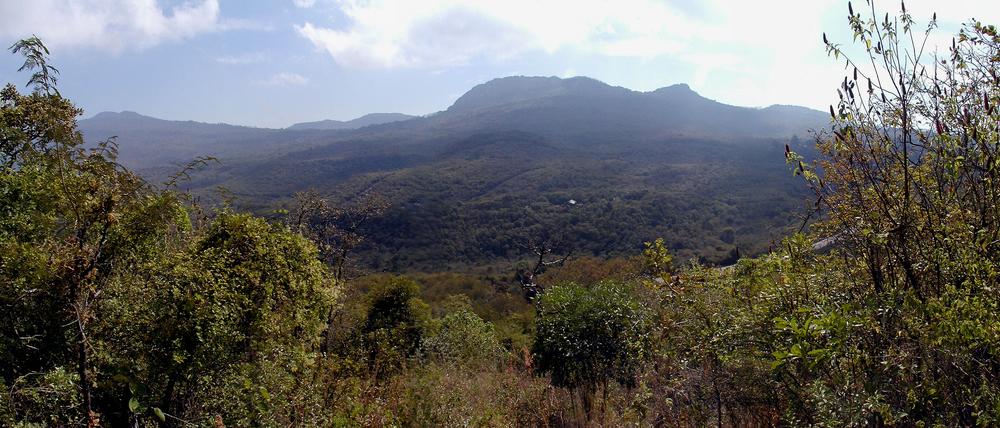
[(272, 63)]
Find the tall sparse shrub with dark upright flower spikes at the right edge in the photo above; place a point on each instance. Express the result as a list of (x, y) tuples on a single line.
[(908, 185)]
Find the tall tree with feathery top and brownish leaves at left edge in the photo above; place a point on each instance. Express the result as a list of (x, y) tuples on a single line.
[(74, 222)]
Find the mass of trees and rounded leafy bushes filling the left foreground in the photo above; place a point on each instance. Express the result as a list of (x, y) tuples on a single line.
[(117, 310)]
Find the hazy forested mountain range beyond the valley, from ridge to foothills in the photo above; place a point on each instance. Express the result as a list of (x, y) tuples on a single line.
[(476, 182)]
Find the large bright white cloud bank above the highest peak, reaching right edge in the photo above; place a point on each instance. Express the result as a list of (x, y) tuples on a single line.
[(743, 52)]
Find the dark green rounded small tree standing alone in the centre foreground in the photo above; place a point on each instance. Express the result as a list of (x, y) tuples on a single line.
[(589, 337)]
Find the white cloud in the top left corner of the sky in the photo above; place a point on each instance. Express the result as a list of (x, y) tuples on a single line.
[(113, 25)]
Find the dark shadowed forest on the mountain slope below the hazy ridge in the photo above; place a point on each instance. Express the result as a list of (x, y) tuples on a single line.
[(493, 193)]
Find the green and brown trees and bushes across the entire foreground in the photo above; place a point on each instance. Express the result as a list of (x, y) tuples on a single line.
[(129, 302)]
